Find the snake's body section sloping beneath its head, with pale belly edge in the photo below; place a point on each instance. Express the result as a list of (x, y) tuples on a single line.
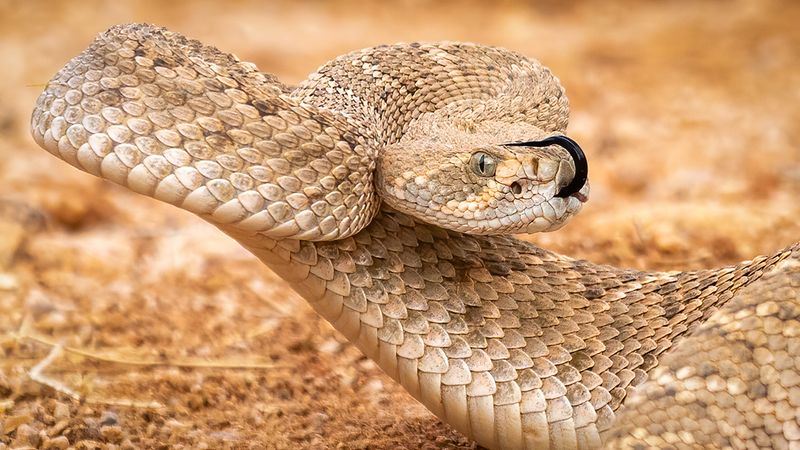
[(455, 318)]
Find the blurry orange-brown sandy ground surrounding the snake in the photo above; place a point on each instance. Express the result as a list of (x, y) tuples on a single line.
[(129, 324)]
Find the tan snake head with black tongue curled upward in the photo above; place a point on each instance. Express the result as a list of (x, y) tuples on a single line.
[(461, 183)]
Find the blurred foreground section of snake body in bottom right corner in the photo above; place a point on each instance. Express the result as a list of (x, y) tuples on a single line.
[(734, 383)]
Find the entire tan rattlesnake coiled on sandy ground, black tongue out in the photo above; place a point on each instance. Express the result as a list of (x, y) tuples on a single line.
[(382, 189)]
